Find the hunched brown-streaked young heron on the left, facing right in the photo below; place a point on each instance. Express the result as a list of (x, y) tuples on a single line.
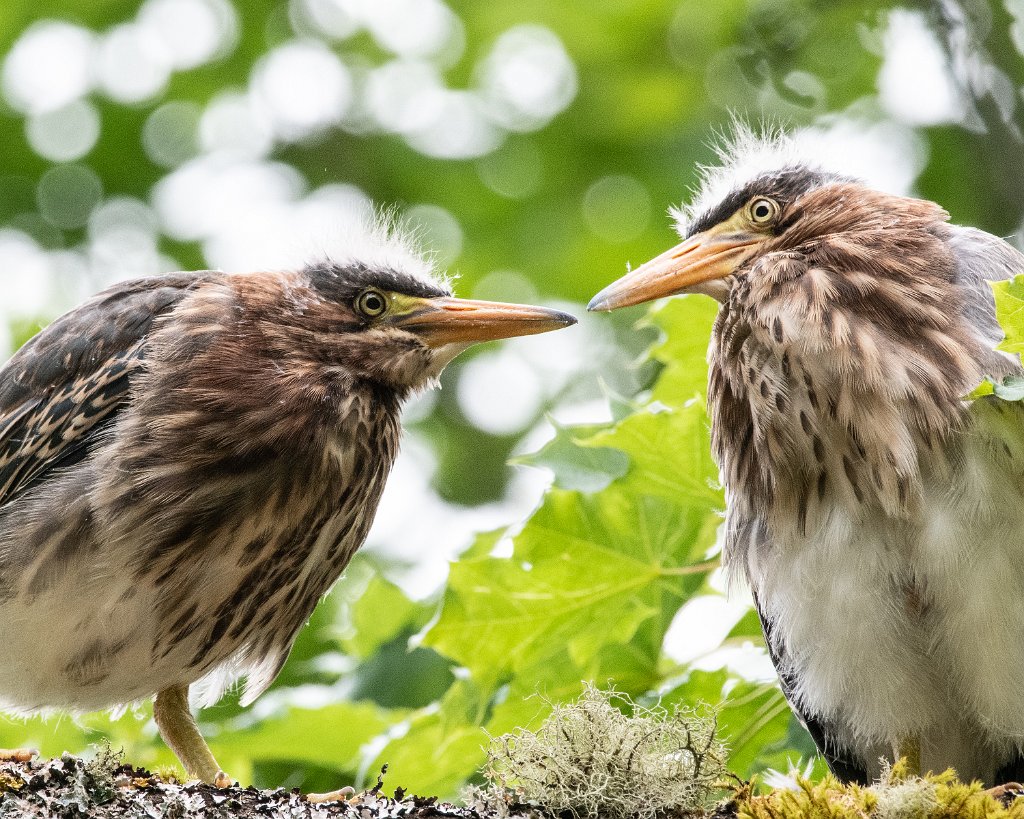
[(189, 462)]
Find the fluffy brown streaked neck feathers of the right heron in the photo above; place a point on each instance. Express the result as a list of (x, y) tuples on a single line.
[(838, 366)]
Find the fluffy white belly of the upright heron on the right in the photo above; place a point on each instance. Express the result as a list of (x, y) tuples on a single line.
[(897, 630)]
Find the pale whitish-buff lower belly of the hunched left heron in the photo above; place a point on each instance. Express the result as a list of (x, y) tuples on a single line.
[(91, 638)]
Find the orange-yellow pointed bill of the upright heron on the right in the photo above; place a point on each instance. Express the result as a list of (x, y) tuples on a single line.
[(702, 258)]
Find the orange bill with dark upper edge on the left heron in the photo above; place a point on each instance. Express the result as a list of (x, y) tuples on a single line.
[(450, 321)]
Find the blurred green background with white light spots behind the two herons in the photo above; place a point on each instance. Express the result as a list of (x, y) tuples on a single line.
[(535, 148)]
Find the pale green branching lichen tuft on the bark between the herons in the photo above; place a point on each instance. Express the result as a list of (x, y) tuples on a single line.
[(605, 756)]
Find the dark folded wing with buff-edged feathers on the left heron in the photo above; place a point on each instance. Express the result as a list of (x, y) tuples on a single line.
[(64, 387)]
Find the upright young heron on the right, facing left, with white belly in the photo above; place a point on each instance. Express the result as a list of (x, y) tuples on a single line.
[(874, 511)]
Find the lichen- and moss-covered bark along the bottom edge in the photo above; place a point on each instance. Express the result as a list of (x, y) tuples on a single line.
[(73, 789)]
